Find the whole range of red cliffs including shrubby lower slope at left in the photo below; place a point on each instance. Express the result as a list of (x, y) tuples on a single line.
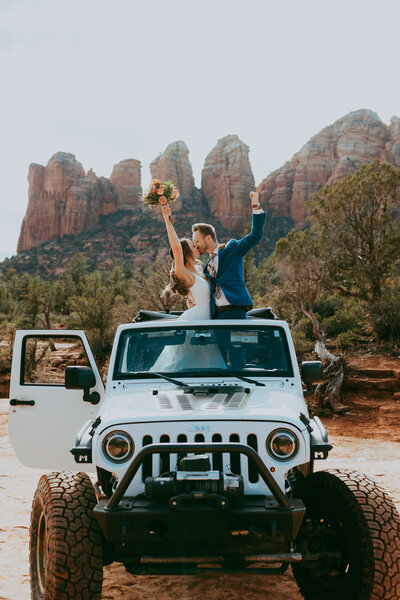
[(79, 211)]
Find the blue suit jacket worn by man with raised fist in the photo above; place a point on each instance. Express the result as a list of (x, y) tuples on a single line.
[(230, 275)]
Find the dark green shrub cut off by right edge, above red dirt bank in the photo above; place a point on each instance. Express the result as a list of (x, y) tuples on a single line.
[(385, 312)]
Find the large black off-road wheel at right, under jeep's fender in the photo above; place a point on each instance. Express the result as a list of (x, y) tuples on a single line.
[(351, 536)]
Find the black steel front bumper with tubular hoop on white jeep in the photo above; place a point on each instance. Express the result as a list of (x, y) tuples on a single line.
[(255, 526)]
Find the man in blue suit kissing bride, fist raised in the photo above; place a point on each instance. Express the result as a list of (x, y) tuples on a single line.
[(229, 296)]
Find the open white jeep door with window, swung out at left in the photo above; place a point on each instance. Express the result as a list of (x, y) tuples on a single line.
[(44, 416)]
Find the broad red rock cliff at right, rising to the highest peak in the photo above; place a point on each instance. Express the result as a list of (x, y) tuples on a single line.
[(336, 151)]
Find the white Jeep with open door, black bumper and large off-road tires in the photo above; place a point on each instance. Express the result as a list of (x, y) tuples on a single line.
[(195, 467)]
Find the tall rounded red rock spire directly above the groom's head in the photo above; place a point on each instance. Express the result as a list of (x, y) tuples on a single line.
[(227, 180)]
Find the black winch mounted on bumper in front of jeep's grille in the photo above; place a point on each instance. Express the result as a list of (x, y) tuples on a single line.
[(195, 477)]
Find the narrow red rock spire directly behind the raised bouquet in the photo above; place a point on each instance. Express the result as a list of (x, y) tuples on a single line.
[(174, 164)]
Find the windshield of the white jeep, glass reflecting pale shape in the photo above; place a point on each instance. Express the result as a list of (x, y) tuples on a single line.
[(203, 350)]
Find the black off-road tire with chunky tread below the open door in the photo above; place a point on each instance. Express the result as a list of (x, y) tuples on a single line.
[(65, 548)]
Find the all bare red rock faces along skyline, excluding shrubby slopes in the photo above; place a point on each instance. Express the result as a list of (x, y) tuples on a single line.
[(64, 200)]
